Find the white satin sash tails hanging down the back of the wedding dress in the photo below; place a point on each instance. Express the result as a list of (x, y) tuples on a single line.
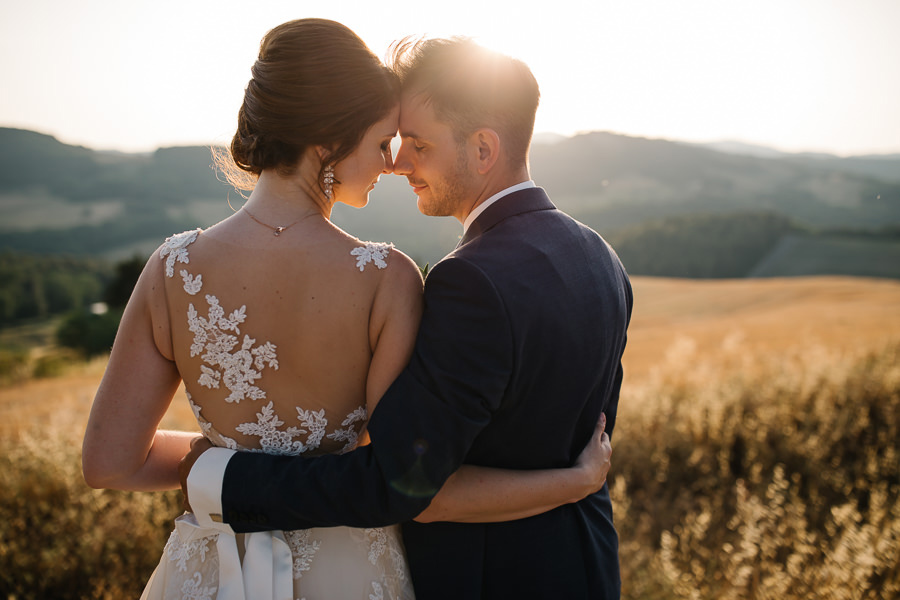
[(265, 573)]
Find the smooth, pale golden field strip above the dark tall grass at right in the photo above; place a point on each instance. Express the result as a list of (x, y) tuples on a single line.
[(756, 317)]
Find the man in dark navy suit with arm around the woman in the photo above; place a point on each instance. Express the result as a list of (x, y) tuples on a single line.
[(518, 353)]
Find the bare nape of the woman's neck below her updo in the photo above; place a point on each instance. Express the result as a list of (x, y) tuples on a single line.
[(286, 197)]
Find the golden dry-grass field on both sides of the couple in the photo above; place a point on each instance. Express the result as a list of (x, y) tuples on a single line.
[(755, 454)]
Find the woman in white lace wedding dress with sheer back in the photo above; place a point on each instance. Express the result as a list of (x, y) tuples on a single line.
[(286, 331)]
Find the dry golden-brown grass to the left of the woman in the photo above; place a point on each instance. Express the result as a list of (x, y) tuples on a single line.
[(58, 538)]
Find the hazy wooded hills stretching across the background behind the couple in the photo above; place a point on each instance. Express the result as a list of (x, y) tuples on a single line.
[(59, 198)]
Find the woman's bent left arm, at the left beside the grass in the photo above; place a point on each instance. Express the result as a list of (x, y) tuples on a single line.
[(122, 447)]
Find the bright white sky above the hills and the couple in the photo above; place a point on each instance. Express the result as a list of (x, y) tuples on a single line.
[(798, 75)]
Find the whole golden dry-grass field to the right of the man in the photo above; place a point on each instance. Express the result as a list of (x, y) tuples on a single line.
[(755, 452)]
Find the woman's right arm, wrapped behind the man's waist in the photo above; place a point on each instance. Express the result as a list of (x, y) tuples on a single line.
[(472, 494)]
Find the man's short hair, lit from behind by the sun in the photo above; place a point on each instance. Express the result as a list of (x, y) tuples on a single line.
[(470, 87)]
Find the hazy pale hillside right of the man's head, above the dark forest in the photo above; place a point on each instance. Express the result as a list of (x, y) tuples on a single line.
[(621, 181)]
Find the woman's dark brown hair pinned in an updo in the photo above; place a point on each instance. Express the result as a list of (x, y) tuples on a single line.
[(315, 83)]
